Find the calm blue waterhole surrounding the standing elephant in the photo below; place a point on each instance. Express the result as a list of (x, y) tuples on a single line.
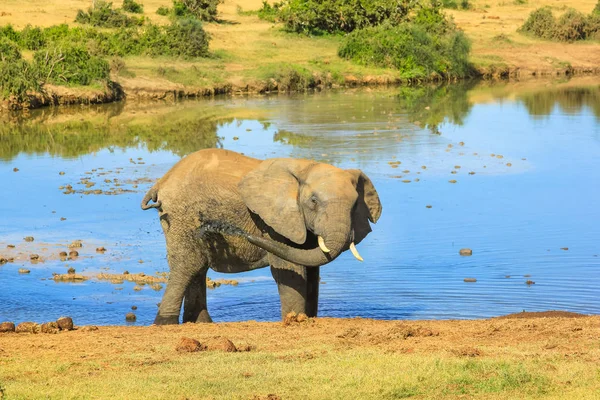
[(515, 218)]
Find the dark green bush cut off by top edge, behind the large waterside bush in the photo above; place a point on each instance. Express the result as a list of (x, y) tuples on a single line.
[(336, 16)]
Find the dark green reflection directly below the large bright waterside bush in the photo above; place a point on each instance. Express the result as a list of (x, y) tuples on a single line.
[(430, 106)]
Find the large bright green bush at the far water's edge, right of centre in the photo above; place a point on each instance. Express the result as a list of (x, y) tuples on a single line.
[(413, 49)]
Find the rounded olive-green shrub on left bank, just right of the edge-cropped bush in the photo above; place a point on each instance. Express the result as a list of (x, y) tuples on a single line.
[(70, 64)]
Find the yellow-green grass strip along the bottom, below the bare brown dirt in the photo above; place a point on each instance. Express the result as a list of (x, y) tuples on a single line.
[(313, 374)]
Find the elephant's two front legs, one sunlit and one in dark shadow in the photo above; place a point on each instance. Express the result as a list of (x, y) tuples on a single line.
[(298, 287)]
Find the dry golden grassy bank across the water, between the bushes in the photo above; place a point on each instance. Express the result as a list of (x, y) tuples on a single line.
[(255, 56)]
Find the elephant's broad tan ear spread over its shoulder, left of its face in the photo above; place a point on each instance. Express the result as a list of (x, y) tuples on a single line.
[(271, 191)]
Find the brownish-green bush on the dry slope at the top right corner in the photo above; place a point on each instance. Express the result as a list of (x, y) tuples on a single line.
[(571, 26)]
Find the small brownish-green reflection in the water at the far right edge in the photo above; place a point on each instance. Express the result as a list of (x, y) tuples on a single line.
[(570, 101)]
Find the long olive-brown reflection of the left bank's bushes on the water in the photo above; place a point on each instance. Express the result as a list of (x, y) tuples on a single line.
[(180, 134)]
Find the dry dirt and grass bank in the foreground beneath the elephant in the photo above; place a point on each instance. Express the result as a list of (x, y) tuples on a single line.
[(538, 356)]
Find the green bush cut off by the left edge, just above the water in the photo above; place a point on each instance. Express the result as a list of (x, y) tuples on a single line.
[(17, 79)]
